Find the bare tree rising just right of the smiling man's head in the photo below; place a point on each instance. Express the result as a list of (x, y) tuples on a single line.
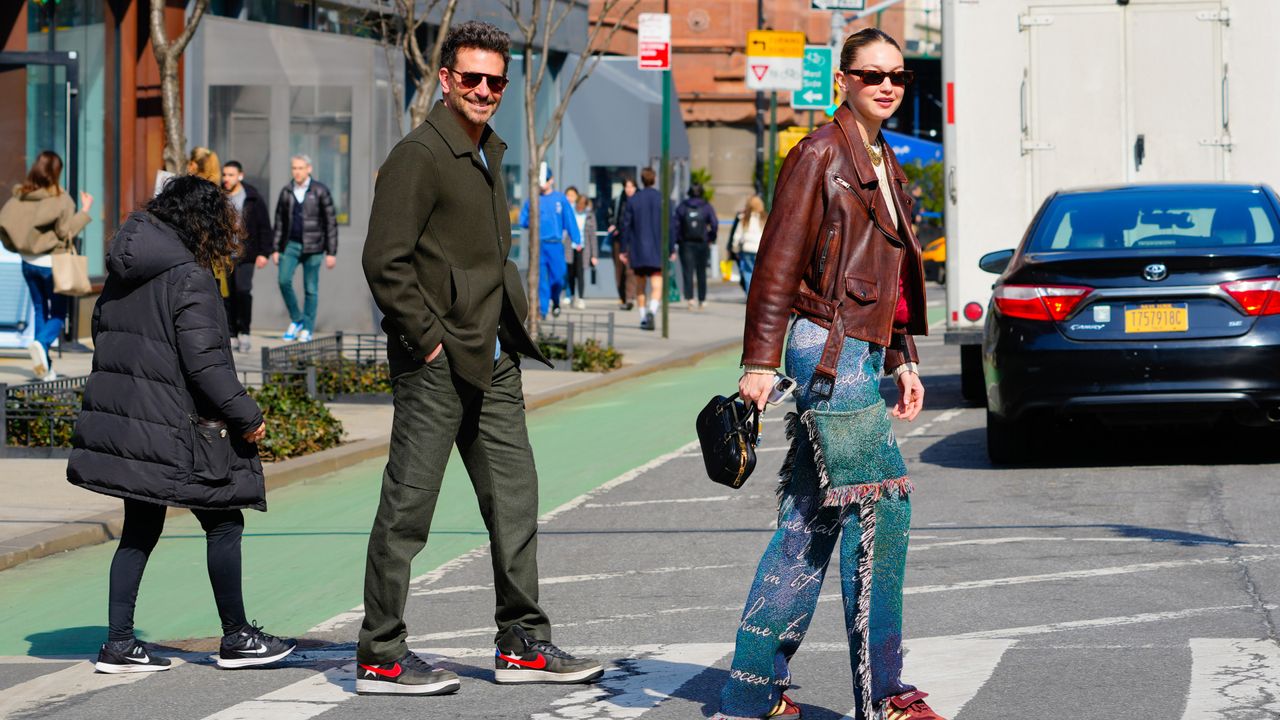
[(538, 22)]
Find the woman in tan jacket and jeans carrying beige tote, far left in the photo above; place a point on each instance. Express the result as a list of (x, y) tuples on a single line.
[(36, 222)]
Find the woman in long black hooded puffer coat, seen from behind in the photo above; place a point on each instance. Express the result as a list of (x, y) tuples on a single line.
[(166, 421)]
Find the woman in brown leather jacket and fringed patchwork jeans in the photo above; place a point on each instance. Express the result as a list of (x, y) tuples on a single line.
[(840, 257)]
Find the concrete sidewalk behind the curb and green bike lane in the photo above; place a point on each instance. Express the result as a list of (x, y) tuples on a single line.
[(44, 514)]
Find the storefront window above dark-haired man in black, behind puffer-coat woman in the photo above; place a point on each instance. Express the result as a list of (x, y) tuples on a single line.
[(240, 129)]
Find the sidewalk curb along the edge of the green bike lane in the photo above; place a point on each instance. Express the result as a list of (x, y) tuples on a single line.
[(107, 526)]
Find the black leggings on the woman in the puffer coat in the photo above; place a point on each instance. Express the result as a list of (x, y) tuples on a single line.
[(143, 526)]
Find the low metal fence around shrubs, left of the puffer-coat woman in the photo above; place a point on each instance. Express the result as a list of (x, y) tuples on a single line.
[(40, 414)]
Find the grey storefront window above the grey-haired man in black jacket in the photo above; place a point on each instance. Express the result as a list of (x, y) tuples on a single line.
[(321, 127)]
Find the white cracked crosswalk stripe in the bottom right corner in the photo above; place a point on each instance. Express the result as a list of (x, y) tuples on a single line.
[(1233, 678)]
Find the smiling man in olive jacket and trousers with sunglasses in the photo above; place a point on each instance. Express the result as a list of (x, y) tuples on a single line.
[(436, 259)]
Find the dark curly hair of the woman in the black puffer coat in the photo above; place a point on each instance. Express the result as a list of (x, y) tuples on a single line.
[(203, 217)]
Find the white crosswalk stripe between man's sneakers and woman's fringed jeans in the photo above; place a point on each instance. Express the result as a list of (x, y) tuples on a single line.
[(639, 686)]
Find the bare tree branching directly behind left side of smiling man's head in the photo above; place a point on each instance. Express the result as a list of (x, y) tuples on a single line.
[(403, 34)]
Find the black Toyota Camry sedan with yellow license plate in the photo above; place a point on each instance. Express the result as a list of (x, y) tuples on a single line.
[(1136, 304)]
